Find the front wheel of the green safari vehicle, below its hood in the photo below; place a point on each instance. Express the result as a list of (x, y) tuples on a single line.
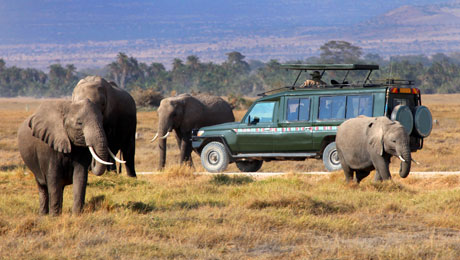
[(214, 157)]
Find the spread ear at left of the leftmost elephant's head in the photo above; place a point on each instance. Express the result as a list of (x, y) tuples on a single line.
[(47, 124)]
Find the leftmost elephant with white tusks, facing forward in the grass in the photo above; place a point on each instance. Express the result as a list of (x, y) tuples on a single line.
[(57, 143)]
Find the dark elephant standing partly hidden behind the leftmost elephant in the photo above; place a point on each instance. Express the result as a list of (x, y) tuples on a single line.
[(119, 115)]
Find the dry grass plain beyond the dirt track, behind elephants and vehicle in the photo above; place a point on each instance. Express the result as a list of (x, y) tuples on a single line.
[(439, 153)]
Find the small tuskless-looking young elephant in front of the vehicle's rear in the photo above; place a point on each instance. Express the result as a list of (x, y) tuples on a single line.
[(368, 143)]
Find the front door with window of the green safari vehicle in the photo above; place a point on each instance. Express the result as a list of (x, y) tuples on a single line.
[(255, 132)]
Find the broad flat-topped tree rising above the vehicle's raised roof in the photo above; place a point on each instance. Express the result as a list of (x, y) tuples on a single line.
[(340, 52)]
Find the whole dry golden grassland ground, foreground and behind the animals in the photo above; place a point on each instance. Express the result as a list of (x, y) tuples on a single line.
[(177, 214)]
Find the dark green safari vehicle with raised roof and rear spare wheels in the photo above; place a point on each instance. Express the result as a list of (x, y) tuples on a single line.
[(297, 122)]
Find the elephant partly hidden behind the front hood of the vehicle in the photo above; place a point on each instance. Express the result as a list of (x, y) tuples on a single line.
[(185, 112)]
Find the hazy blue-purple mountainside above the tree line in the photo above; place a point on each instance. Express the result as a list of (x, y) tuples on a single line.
[(89, 33)]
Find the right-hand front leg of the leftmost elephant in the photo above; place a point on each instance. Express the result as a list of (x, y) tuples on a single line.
[(80, 180)]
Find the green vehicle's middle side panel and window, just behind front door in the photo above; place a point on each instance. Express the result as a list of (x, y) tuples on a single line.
[(295, 127)]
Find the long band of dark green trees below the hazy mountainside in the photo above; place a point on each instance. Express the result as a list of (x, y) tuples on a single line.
[(439, 73)]
